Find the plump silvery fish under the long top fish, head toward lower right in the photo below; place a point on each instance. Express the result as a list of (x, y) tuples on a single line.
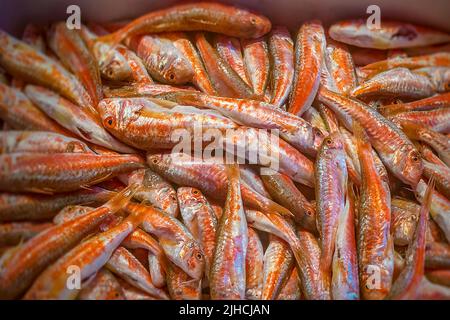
[(162, 59)]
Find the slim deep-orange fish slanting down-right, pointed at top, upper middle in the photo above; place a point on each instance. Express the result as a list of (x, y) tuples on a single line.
[(224, 79)]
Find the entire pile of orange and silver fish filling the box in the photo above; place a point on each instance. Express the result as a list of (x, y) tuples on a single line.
[(97, 202)]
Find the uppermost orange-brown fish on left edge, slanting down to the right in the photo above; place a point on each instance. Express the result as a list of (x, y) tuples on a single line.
[(26, 62)]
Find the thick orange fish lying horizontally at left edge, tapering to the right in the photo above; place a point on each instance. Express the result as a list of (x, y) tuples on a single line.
[(60, 172)]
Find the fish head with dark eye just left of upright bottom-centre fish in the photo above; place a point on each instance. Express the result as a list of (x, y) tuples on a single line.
[(193, 259)]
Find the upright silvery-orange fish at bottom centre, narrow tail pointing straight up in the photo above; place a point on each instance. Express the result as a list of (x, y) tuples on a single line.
[(227, 277)]
